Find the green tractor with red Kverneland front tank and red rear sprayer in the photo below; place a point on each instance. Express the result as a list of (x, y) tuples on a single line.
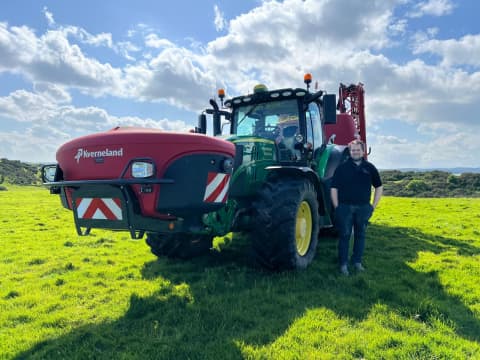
[(267, 176)]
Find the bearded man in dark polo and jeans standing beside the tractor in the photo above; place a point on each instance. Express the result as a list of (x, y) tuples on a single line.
[(351, 192)]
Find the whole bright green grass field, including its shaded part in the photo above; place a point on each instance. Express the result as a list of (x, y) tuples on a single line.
[(105, 296)]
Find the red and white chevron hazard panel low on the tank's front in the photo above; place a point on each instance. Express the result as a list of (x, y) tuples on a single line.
[(99, 208)]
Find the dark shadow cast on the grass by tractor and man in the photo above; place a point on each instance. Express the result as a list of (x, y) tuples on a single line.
[(207, 305)]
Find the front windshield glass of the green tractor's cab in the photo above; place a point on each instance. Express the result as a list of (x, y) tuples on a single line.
[(271, 120)]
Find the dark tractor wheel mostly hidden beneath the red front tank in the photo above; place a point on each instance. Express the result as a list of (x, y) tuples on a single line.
[(181, 246)]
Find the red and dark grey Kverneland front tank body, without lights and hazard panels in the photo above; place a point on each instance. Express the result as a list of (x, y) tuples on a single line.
[(108, 155)]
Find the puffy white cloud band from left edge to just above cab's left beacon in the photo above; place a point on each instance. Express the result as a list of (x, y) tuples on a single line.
[(172, 75)]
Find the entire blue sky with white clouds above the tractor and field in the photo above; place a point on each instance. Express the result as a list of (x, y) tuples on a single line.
[(72, 68)]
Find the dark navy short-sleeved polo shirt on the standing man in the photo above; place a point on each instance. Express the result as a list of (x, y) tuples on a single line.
[(354, 182)]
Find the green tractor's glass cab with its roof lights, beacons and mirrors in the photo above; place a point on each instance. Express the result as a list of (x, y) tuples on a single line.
[(289, 121)]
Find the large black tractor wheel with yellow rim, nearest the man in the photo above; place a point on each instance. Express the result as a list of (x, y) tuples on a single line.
[(285, 233)]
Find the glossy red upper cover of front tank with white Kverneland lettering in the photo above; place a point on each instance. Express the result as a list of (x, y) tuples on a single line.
[(107, 155)]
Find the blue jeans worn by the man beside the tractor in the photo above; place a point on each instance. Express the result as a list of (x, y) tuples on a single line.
[(346, 217)]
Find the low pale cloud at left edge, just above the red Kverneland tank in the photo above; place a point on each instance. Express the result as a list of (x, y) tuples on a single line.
[(42, 123)]
